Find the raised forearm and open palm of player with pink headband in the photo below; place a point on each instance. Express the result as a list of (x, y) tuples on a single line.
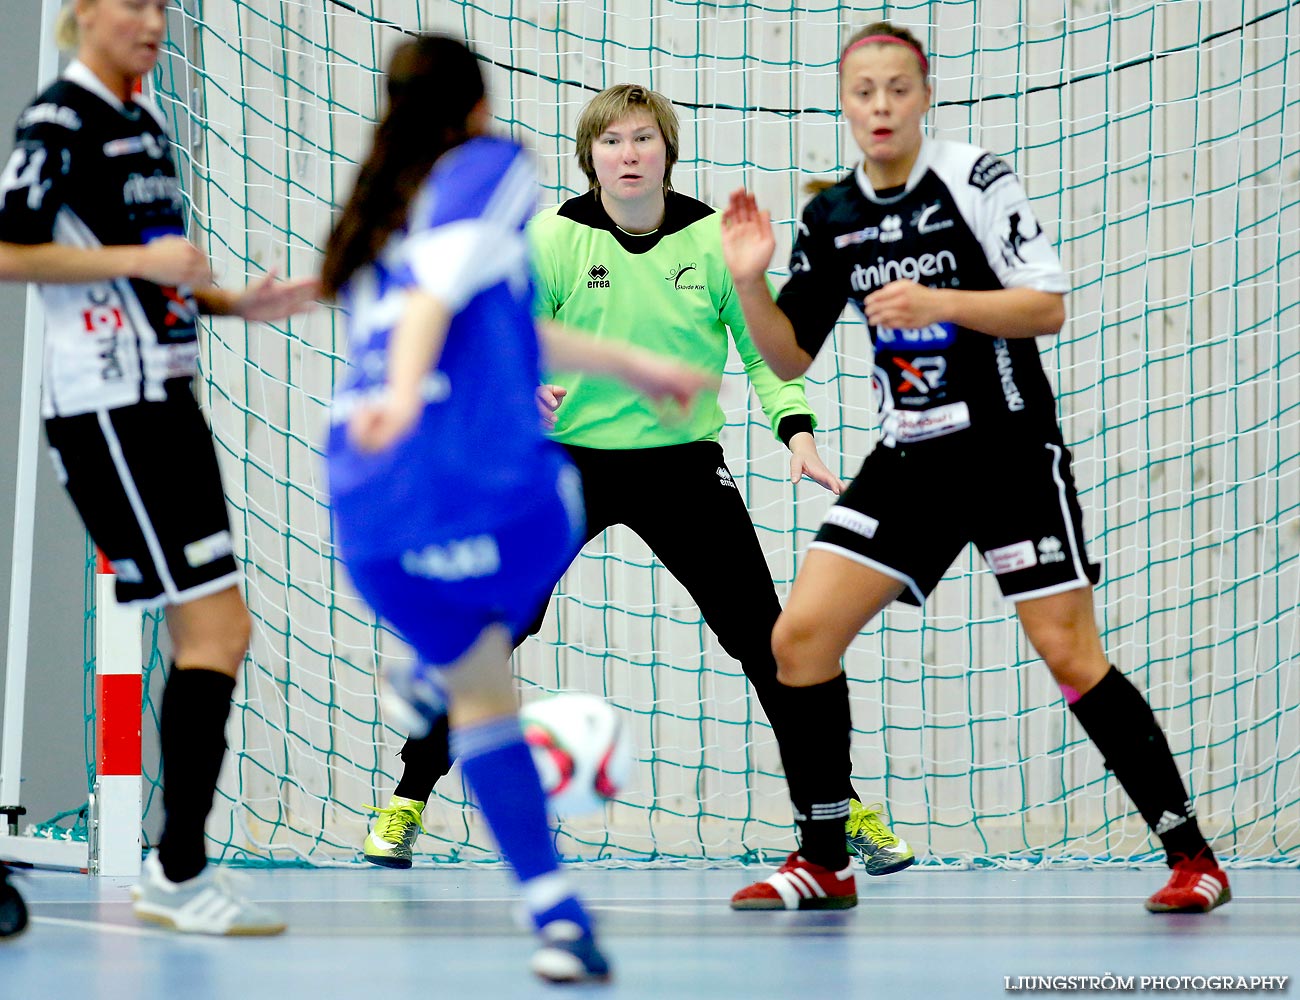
[(748, 248)]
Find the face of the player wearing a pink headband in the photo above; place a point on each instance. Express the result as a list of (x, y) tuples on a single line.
[(885, 97)]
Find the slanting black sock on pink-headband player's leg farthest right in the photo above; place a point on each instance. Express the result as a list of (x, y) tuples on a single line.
[(1124, 728)]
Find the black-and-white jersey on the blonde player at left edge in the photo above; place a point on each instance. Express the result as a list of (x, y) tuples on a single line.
[(89, 171)]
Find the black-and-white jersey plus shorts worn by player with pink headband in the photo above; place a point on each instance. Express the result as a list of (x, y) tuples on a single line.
[(973, 451)]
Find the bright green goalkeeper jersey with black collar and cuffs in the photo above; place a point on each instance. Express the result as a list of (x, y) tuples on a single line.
[(668, 292)]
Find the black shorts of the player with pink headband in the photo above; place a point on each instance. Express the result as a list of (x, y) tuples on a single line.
[(912, 512)]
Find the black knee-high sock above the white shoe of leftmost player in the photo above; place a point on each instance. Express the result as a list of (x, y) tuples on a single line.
[(193, 734)]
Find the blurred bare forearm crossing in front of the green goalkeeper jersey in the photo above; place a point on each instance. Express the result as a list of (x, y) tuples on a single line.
[(649, 374)]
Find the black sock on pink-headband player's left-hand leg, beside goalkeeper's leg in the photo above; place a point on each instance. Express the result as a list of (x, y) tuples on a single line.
[(816, 754)]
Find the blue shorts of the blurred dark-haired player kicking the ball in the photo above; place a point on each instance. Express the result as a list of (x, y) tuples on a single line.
[(443, 596)]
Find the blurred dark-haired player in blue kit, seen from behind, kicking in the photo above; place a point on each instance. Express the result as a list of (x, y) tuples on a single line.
[(454, 513)]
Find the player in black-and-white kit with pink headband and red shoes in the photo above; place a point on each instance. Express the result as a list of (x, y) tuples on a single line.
[(935, 245)]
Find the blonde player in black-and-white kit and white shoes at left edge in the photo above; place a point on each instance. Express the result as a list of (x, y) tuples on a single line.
[(93, 211)]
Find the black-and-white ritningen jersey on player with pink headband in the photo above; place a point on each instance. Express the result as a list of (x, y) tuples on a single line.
[(961, 222)]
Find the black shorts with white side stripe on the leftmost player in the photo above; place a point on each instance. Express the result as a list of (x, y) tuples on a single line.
[(146, 483)]
